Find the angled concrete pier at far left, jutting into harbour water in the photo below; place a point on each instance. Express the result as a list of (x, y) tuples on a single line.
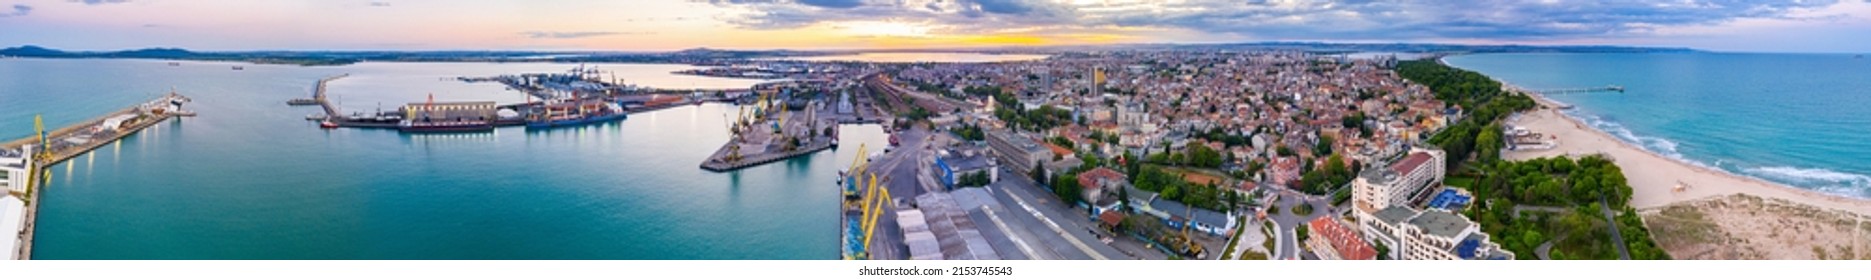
[(68, 143)]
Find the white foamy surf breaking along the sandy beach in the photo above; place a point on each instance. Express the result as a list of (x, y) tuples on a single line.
[(1833, 182)]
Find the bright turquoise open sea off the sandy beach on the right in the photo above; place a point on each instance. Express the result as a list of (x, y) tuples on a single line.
[(1793, 119)]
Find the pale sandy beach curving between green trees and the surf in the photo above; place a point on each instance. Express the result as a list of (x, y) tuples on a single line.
[(1651, 176)]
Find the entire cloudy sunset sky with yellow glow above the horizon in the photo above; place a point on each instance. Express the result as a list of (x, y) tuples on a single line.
[(673, 25)]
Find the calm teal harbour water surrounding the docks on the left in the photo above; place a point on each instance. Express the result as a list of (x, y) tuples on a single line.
[(252, 180)]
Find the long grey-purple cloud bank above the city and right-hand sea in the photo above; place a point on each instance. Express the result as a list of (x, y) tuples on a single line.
[(1284, 20)]
